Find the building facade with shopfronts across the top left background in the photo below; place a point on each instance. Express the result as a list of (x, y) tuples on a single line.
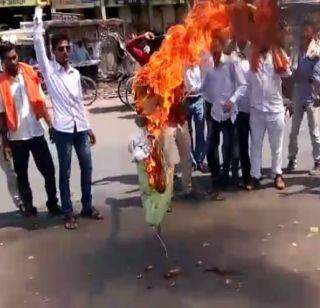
[(140, 15)]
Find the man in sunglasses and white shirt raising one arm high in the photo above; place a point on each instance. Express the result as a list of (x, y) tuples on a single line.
[(71, 127)]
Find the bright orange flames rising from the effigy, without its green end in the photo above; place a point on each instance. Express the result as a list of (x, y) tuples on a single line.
[(159, 83)]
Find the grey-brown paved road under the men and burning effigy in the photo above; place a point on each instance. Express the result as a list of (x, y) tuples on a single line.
[(258, 247)]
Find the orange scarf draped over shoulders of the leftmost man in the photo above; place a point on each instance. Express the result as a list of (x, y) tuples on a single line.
[(32, 84)]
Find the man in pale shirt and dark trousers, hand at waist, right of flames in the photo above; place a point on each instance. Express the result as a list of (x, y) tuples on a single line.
[(223, 85)]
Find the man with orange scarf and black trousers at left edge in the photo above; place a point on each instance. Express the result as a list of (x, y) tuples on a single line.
[(22, 132)]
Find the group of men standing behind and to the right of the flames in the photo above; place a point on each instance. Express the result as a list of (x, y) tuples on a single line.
[(227, 96)]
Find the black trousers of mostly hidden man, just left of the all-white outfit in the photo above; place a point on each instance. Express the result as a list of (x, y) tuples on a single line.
[(243, 130)]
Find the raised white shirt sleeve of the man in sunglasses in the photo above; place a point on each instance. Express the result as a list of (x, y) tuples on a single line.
[(39, 45)]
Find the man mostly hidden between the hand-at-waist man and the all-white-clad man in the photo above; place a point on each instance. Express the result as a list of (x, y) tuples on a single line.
[(240, 56)]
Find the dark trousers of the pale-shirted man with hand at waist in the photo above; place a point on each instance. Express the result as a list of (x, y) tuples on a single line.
[(229, 150)]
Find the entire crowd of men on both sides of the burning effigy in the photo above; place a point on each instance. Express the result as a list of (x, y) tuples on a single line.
[(225, 95)]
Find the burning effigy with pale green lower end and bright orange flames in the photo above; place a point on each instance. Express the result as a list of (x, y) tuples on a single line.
[(158, 85)]
